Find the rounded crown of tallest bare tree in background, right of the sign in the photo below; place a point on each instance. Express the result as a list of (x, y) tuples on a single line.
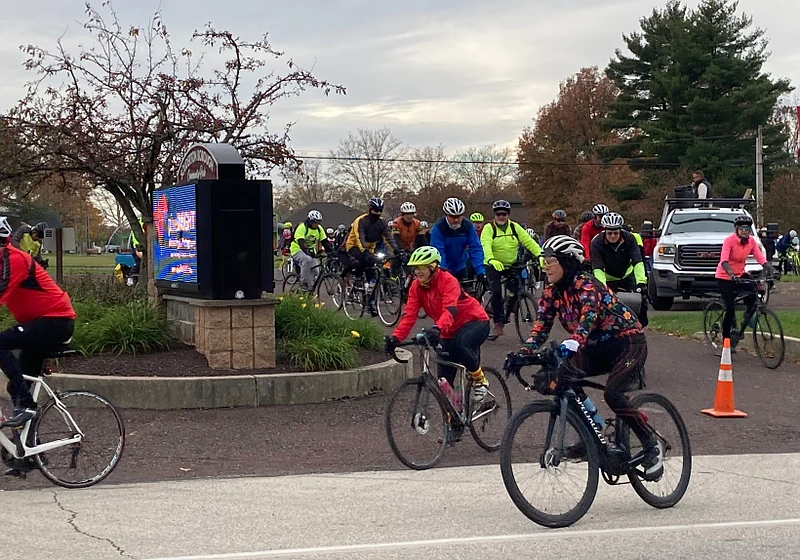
[(366, 162)]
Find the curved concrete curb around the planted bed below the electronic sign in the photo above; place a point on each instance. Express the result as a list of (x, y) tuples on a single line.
[(165, 393)]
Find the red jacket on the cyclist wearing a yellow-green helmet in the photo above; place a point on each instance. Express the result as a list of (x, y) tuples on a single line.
[(443, 301)]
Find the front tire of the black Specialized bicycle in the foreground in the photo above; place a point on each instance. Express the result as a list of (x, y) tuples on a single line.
[(536, 515)]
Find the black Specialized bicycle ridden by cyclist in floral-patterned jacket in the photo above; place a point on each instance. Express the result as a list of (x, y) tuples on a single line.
[(559, 444)]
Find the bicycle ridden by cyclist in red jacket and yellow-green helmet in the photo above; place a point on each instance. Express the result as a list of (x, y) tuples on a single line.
[(419, 414)]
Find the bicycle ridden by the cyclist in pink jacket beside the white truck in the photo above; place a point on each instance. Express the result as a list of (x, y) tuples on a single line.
[(767, 330)]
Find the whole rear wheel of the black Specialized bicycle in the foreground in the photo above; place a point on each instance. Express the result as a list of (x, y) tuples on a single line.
[(670, 429)]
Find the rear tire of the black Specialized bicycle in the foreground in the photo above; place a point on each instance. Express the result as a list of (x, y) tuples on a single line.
[(642, 487)]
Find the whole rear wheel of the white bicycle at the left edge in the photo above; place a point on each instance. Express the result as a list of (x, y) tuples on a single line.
[(82, 464)]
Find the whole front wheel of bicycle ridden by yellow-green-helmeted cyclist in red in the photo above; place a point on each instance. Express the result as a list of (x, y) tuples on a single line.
[(416, 425)]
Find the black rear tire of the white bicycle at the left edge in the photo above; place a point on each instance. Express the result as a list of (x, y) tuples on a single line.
[(97, 407)]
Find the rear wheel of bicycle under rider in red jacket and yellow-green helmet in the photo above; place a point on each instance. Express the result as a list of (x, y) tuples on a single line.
[(490, 417)]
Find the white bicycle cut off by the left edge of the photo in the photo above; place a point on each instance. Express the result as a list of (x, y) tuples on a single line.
[(65, 439)]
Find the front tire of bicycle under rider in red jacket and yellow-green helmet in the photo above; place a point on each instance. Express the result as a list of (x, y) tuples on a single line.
[(421, 425)]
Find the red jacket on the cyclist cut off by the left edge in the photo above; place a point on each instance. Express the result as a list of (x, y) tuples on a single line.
[(27, 290)]
